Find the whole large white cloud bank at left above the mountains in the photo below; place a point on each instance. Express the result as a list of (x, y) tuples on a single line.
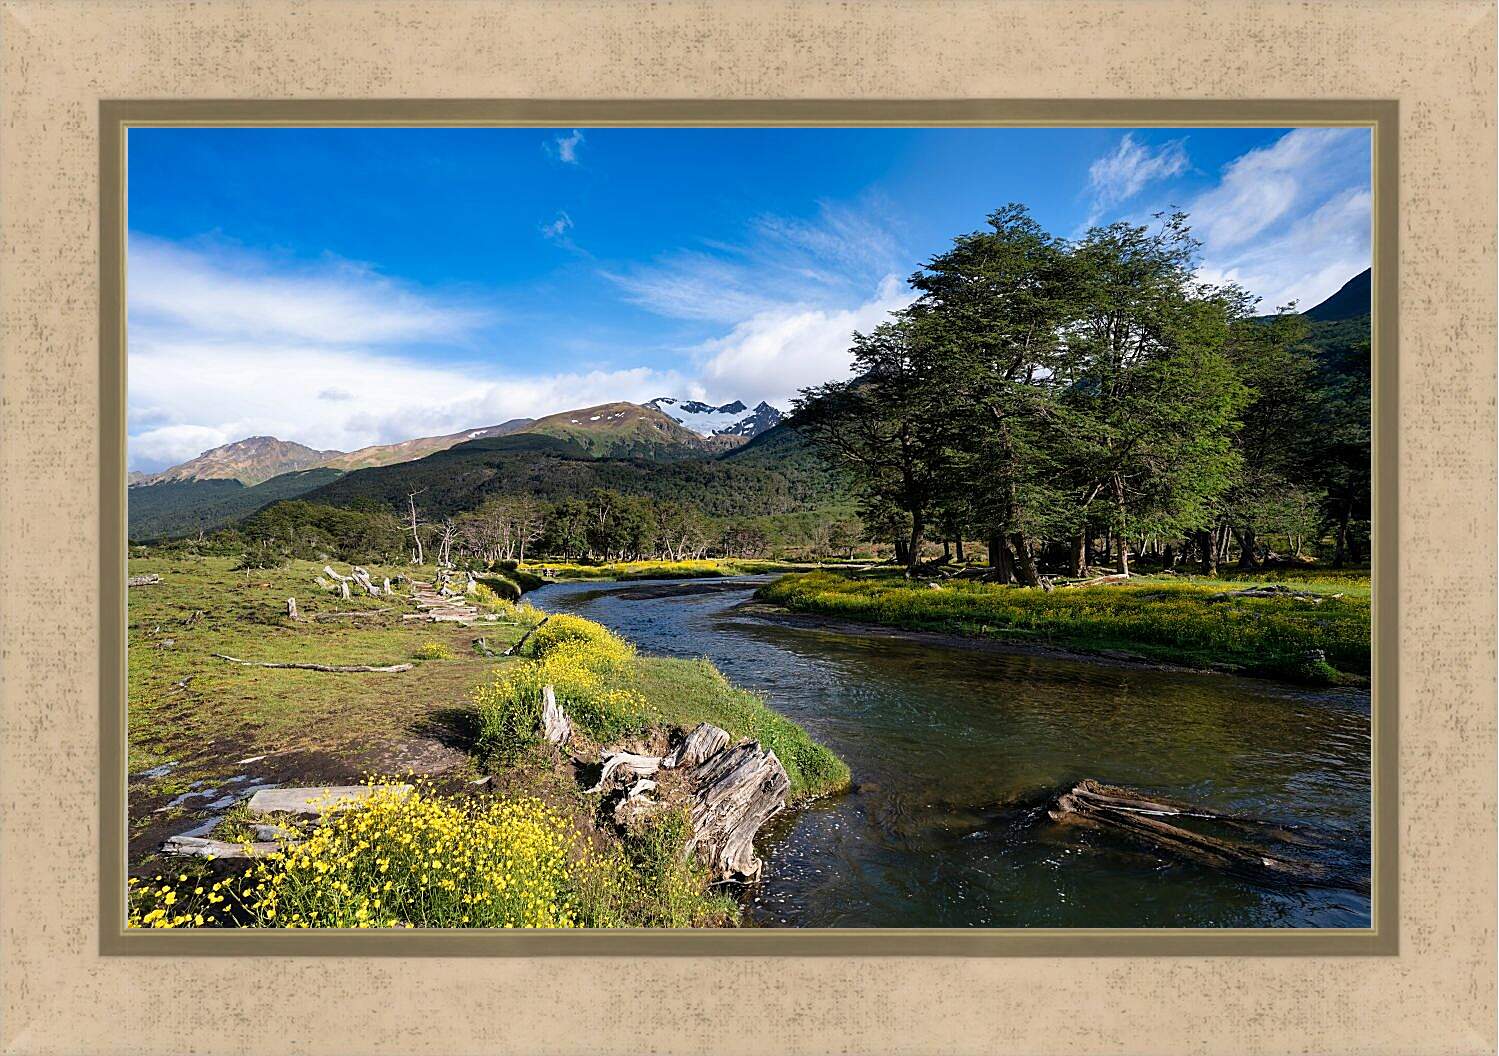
[(226, 346)]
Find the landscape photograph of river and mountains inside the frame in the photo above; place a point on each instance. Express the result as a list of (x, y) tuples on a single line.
[(750, 529)]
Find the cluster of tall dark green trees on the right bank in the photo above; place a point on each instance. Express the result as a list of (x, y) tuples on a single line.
[(1088, 401)]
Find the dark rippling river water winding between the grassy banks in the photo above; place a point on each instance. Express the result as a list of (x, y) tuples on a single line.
[(957, 751)]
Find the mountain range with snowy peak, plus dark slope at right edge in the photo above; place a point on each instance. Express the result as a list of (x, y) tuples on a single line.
[(728, 460)]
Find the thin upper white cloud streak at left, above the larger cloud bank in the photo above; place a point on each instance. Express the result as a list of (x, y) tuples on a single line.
[(232, 293)]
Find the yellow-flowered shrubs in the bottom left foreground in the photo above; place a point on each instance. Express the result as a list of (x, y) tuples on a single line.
[(432, 862)]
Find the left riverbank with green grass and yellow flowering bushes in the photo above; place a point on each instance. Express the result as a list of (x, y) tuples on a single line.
[(206, 733)]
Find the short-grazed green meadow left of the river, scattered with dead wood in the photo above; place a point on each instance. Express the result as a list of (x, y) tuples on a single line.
[(188, 706)]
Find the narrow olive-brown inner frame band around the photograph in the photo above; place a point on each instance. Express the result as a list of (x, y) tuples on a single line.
[(118, 116)]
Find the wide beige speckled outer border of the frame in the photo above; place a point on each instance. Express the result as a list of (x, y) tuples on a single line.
[(1437, 59)]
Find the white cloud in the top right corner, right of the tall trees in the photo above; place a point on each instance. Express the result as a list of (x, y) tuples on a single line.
[(1291, 221)]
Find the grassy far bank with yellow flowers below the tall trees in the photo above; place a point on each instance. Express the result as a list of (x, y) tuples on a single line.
[(1171, 619)]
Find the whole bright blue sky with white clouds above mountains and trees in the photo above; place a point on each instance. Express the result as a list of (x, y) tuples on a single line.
[(347, 287)]
